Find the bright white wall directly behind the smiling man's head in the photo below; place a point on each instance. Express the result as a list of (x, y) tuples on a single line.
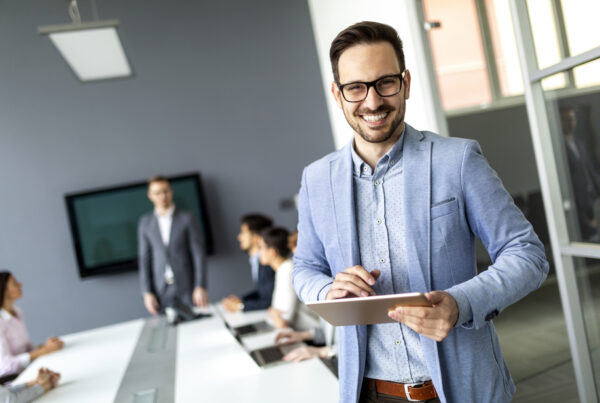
[(331, 16)]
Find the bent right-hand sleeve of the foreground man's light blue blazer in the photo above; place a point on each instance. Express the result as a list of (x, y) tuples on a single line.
[(519, 262)]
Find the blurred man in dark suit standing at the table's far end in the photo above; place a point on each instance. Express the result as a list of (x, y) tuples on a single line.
[(171, 257)]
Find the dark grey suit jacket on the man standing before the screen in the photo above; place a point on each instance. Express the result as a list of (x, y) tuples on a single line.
[(185, 254)]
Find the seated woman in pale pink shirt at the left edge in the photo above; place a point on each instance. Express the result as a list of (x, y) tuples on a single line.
[(16, 350)]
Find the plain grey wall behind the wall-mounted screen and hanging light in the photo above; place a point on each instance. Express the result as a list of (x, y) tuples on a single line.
[(227, 88)]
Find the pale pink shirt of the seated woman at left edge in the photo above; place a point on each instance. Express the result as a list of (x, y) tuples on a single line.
[(14, 343)]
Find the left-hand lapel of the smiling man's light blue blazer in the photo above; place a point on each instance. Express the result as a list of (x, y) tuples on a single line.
[(342, 188)]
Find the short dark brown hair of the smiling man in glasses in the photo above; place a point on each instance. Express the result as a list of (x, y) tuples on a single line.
[(364, 33)]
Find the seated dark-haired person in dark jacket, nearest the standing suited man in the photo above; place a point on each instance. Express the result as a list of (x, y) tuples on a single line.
[(263, 276)]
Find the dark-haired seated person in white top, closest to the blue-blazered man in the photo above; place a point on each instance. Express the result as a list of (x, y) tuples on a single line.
[(274, 251)]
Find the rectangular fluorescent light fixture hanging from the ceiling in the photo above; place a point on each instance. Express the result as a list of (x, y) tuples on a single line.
[(92, 49)]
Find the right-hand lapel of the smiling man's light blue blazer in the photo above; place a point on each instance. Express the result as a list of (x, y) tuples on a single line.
[(417, 202)]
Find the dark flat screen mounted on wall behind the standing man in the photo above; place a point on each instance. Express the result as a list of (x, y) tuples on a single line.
[(104, 222)]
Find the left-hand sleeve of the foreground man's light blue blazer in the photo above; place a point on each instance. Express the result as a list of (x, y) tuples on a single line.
[(312, 276)]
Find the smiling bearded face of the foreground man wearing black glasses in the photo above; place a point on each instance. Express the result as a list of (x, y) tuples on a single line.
[(376, 119)]
